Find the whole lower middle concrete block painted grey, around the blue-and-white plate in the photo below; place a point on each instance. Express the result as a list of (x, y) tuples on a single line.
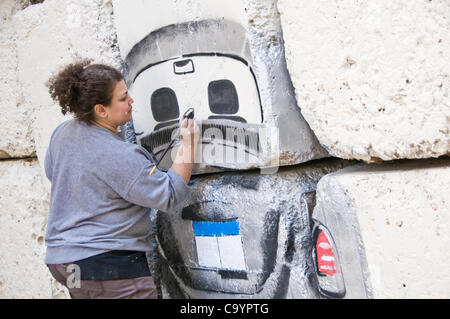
[(272, 213)]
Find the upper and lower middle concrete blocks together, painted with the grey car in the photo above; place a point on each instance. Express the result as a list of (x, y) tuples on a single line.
[(240, 234)]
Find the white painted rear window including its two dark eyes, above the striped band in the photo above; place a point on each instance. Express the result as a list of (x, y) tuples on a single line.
[(217, 87)]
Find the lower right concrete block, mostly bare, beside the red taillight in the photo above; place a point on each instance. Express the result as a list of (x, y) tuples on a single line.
[(389, 222)]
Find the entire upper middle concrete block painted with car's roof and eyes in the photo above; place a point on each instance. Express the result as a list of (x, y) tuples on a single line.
[(175, 58)]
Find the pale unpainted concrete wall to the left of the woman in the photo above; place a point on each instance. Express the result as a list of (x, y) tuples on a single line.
[(37, 38)]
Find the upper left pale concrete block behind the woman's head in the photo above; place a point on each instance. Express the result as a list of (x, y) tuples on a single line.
[(39, 41)]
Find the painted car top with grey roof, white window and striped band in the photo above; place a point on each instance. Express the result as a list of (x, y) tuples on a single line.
[(218, 83)]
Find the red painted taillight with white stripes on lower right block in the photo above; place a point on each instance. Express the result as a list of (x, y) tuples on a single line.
[(329, 276)]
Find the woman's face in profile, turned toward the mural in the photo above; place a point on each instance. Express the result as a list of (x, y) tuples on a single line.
[(119, 111)]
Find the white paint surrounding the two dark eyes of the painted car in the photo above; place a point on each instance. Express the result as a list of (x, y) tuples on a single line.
[(192, 89)]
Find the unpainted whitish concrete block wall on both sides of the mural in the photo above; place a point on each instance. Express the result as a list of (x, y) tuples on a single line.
[(371, 79)]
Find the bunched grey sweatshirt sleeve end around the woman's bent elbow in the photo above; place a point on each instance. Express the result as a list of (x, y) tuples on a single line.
[(161, 190)]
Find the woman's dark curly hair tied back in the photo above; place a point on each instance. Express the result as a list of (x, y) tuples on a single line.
[(81, 85)]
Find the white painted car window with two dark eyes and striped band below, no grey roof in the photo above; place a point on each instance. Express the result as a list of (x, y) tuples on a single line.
[(224, 94)]
